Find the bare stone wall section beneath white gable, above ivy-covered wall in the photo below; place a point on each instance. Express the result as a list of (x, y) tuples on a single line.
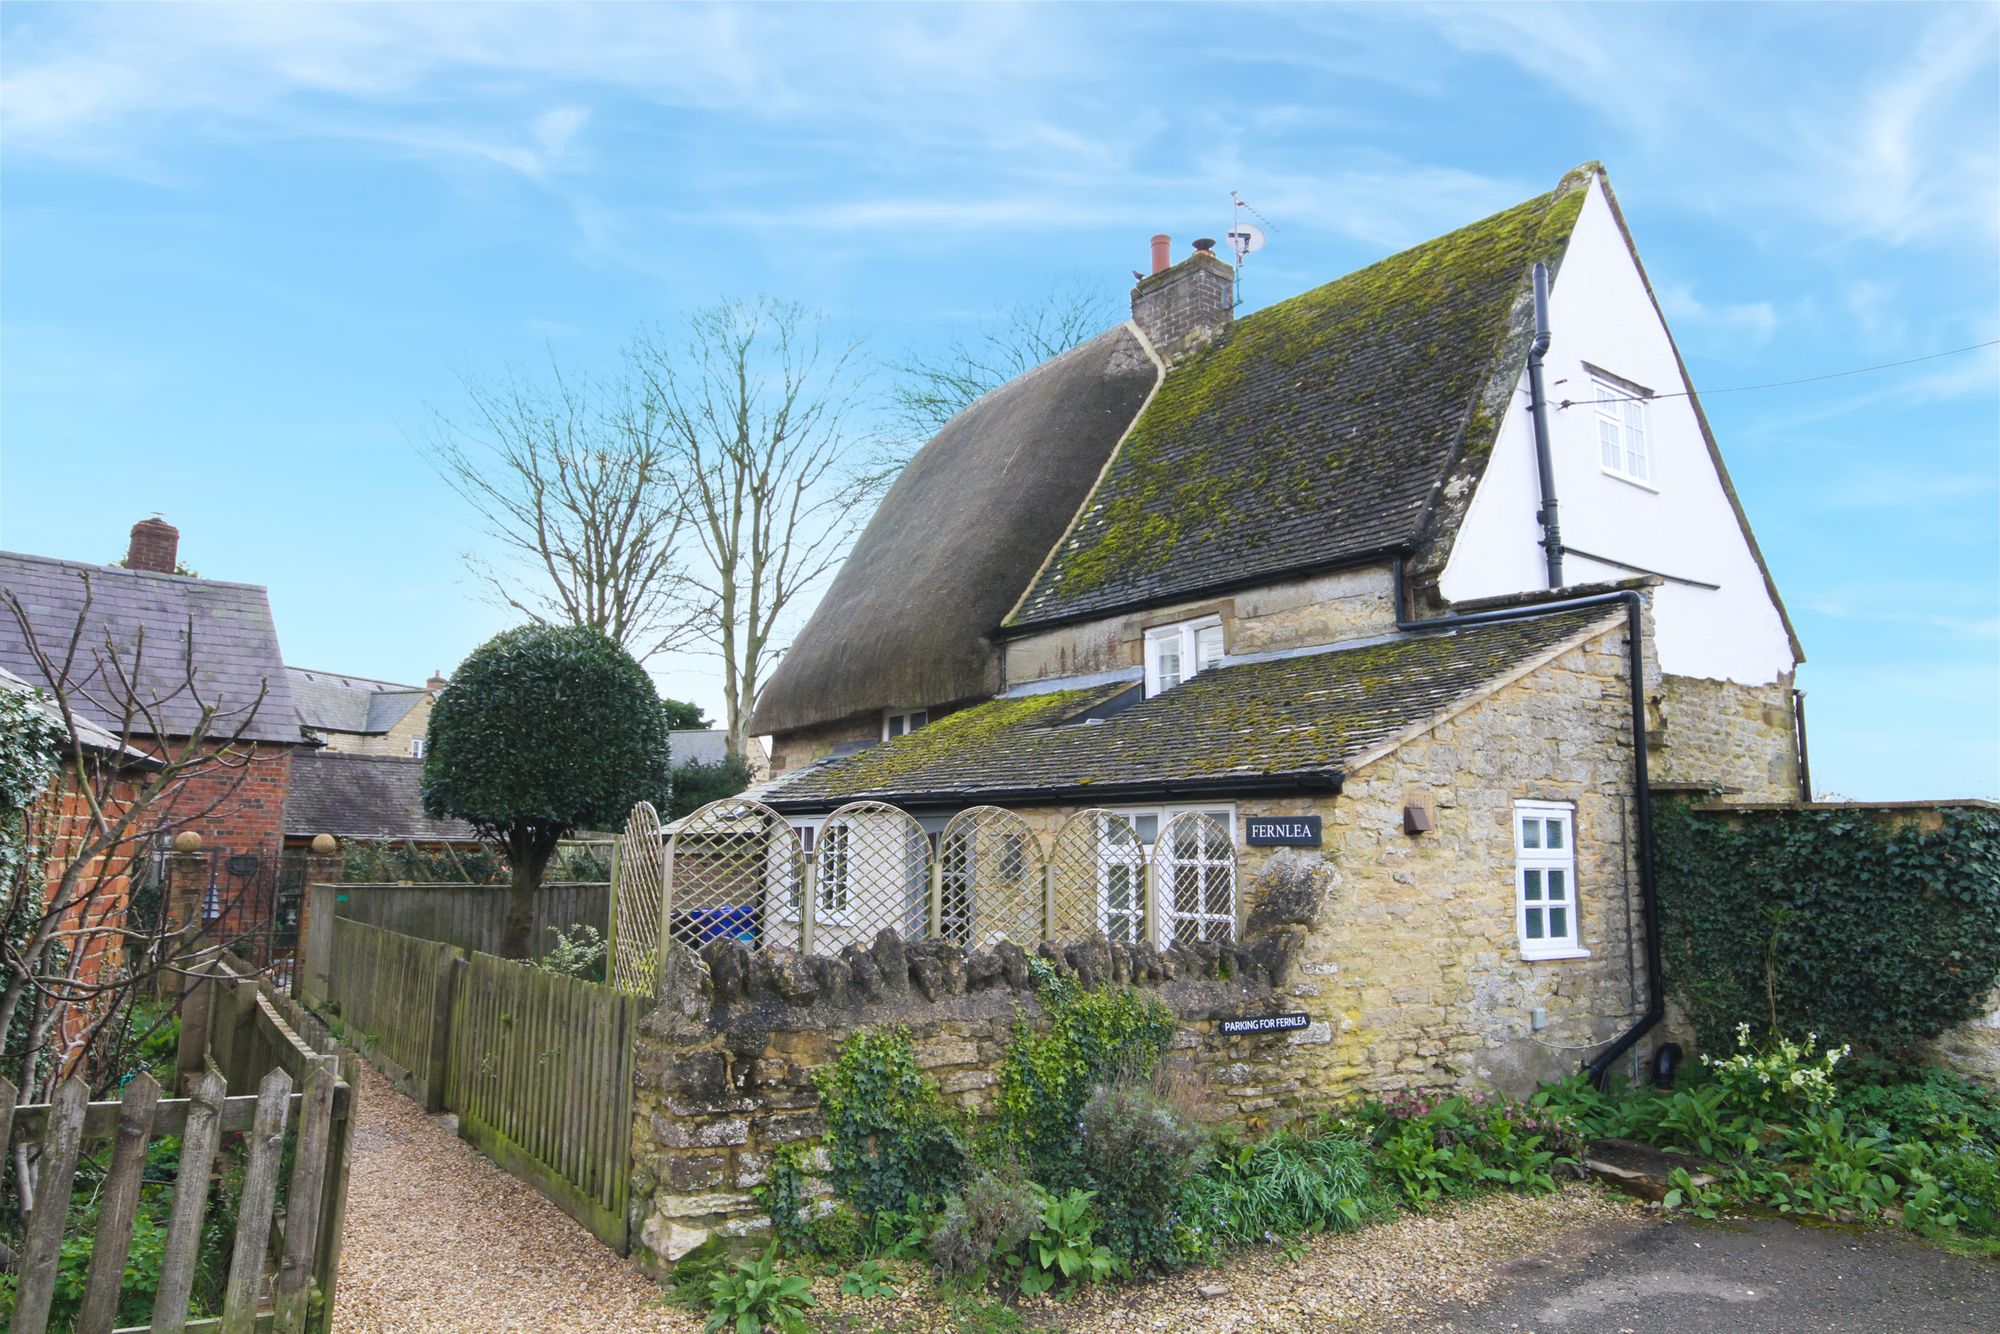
[(1727, 737)]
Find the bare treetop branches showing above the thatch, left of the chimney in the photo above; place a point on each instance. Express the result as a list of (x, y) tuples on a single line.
[(931, 391)]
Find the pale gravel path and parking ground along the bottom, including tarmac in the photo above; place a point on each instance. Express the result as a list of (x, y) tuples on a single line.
[(441, 1241)]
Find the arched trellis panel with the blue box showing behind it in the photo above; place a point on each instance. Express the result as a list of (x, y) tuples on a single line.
[(733, 871)]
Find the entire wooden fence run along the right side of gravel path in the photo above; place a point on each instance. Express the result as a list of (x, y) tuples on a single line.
[(537, 1067)]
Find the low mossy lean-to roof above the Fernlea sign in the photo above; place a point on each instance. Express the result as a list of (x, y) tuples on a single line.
[(1303, 719)]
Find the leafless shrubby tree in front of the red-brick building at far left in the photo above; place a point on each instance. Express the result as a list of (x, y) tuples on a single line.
[(73, 957)]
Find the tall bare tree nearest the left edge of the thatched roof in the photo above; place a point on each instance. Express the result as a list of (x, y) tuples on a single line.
[(753, 405)]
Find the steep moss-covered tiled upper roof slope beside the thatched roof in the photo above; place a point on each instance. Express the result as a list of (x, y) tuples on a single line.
[(1315, 431)]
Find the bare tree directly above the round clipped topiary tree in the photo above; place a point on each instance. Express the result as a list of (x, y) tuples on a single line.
[(579, 495)]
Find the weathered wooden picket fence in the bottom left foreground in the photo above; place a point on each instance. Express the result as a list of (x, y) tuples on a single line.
[(285, 1257)]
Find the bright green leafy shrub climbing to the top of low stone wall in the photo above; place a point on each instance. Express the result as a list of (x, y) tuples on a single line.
[(1093, 1039)]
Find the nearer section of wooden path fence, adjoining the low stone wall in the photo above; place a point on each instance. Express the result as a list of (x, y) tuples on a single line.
[(541, 1079)]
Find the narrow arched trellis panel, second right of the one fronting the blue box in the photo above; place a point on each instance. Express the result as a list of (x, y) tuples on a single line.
[(991, 883)]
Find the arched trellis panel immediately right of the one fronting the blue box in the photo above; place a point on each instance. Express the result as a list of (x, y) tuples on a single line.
[(871, 869)]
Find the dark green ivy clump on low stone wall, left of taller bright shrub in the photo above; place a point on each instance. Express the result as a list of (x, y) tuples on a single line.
[(891, 1143)]
